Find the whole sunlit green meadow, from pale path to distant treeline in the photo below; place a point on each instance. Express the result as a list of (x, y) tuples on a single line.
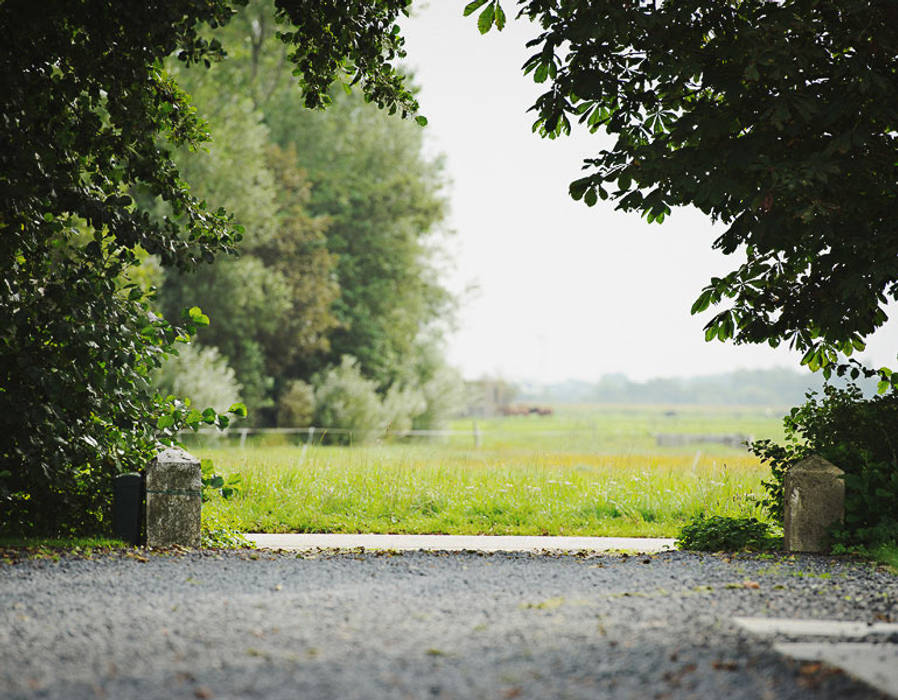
[(587, 470)]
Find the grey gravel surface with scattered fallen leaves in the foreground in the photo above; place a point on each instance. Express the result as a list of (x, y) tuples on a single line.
[(422, 625)]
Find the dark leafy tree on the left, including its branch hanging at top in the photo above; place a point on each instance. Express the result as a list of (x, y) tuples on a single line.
[(90, 117)]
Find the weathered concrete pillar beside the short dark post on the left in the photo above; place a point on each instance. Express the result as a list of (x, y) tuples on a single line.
[(174, 499)]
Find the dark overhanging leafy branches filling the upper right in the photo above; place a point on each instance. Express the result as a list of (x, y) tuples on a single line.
[(776, 119)]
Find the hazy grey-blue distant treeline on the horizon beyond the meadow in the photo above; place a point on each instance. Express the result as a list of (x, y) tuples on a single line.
[(765, 387)]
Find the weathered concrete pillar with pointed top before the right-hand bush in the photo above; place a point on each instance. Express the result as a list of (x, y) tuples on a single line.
[(814, 500)]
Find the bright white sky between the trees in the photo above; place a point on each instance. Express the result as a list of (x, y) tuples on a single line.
[(563, 291)]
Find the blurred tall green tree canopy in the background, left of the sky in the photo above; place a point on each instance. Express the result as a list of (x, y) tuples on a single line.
[(342, 213)]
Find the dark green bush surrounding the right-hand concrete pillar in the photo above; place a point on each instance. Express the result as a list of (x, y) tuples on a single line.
[(858, 436)]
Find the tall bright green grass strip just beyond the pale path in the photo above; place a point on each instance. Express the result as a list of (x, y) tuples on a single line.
[(500, 490)]
